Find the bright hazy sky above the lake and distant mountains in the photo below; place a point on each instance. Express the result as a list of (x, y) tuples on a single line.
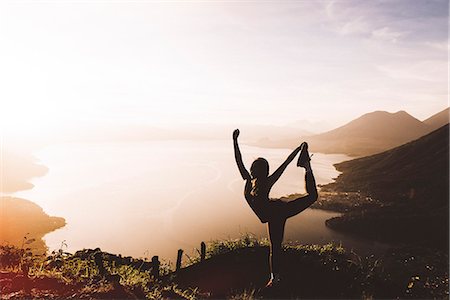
[(65, 63)]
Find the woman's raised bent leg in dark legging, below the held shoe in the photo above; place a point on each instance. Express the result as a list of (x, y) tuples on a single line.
[(298, 205)]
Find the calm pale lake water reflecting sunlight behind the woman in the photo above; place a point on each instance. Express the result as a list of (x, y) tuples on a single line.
[(152, 198)]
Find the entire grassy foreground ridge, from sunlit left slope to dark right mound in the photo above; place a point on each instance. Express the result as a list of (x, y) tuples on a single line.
[(239, 266)]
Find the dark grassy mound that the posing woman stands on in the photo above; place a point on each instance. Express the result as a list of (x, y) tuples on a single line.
[(318, 271)]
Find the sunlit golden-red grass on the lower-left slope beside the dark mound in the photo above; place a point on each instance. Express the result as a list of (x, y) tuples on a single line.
[(85, 274)]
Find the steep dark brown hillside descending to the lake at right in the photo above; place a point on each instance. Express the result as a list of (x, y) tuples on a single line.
[(409, 185)]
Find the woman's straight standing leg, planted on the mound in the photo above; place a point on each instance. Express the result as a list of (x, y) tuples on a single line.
[(276, 233)]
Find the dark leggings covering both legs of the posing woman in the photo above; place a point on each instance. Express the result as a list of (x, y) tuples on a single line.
[(280, 211)]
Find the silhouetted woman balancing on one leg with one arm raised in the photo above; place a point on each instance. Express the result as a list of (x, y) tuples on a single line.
[(274, 212)]
